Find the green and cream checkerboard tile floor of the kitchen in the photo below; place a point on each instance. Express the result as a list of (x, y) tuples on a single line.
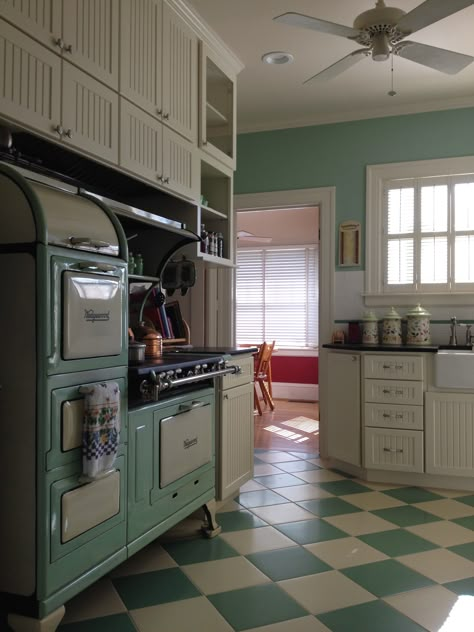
[(303, 549)]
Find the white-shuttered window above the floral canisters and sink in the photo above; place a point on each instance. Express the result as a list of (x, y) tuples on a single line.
[(420, 232)]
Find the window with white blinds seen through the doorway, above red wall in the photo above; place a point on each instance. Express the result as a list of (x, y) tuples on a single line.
[(277, 296)]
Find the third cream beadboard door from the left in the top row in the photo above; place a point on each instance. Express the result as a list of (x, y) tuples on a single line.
[(140, 53)]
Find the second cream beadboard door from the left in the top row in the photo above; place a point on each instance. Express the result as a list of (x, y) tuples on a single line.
[(91, 34)]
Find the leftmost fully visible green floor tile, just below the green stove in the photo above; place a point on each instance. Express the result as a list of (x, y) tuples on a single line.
[(151, 589)]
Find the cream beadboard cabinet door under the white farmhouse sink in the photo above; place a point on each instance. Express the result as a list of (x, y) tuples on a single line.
[(450, 433)]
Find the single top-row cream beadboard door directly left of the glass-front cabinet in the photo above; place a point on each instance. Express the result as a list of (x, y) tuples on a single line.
[(179, 74)]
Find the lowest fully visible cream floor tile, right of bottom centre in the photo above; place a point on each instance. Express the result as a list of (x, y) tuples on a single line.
[(324, 592)]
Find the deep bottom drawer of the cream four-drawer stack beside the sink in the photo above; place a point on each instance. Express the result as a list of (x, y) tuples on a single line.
[(400, 450)]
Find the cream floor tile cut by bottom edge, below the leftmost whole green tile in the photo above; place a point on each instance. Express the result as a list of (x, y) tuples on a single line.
[(188, 615)]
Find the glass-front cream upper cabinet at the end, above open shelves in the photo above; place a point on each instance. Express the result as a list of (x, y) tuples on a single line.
[(217, 108)]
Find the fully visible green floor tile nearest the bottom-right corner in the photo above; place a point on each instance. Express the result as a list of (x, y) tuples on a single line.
[(386, 578)]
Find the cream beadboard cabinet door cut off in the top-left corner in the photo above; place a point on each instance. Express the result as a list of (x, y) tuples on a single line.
[(39, 18)]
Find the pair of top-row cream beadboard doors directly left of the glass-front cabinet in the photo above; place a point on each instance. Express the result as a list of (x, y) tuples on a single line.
[(159, 64)]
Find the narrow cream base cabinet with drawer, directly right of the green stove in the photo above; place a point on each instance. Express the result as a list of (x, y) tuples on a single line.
[(235, 428)]
